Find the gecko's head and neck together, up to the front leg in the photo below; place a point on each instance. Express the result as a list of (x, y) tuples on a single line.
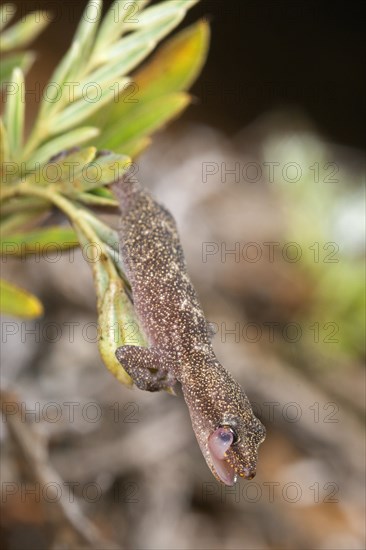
[(225, 426)]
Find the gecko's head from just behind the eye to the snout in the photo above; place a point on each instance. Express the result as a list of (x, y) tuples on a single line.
[(232, 447)]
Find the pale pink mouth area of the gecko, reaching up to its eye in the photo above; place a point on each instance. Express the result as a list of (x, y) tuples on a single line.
[(218, 444)]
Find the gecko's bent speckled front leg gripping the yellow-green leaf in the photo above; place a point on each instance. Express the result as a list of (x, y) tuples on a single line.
[(148, 367)]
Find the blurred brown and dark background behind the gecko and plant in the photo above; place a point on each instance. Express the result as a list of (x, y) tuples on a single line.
[(264, 174)]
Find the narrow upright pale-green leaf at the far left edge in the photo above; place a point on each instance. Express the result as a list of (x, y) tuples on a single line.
[(14, 112)]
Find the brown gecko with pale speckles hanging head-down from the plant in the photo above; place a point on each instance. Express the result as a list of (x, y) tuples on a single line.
[(180, 338)]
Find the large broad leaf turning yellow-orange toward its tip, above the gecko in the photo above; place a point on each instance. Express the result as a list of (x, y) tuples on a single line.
[(173, 68)]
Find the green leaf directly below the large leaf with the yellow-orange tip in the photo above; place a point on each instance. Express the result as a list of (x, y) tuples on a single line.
[(143, 120)]
